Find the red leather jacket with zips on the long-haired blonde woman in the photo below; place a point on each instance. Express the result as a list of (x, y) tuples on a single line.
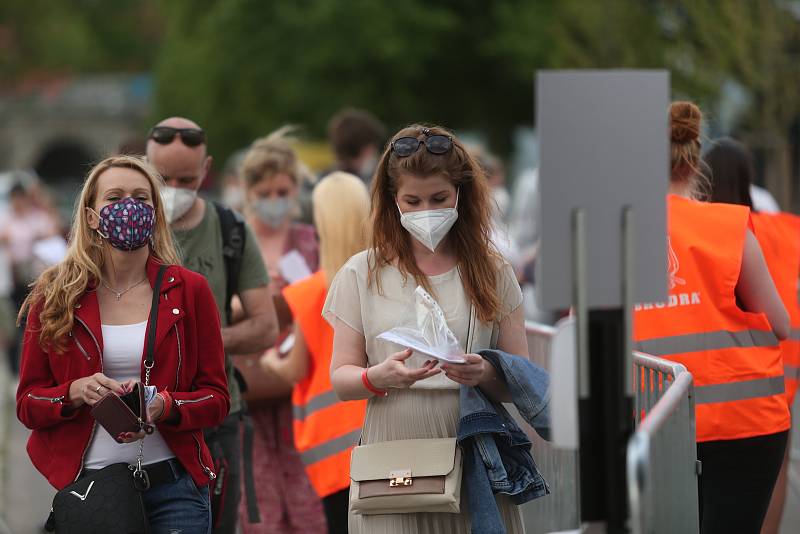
[(189, 363)]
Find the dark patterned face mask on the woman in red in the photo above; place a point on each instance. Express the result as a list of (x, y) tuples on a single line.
[(127, 224)]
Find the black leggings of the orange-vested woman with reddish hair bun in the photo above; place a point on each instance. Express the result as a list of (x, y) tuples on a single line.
[(736, 482)]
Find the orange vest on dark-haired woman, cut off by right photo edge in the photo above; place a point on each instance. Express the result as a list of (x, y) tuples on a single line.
[(779, 237)]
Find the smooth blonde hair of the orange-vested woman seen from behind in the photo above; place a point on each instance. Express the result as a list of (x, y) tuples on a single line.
[(341, 215)]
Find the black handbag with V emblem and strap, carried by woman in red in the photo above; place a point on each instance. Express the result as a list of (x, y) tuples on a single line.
[(110, 500)]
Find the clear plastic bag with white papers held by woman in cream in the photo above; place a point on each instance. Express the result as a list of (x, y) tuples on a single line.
[(430, 336)]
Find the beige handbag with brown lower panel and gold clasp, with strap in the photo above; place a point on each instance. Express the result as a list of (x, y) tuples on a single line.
[(408, 476)]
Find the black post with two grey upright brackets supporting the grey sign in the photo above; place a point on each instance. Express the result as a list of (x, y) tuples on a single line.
[(605, 385)]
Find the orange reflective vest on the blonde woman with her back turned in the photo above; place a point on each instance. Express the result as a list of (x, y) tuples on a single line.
[(325, 428)]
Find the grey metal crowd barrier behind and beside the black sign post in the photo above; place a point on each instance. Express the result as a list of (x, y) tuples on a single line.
[(662, 479)]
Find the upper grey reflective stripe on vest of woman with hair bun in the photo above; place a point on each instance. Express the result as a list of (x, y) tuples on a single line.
[(721, 339)]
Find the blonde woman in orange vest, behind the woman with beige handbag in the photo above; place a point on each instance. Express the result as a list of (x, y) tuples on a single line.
[(325, 429)]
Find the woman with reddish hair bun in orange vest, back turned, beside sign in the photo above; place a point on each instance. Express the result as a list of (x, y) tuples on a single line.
[(722, 320)]
